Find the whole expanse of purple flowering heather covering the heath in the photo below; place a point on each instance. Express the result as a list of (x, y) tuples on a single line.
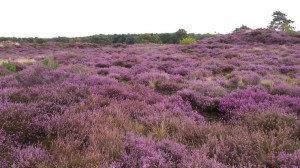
[(228, 101)]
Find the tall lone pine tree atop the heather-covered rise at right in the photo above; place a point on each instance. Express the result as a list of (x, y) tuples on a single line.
[(279, 21)]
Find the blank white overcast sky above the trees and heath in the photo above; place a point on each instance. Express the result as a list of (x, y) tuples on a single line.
[(52, 18)]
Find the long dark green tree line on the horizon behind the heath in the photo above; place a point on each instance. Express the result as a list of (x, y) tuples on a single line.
[(162, 38)]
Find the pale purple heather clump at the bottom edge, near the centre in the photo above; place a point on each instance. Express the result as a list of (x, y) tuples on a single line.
[(143, 152)]
